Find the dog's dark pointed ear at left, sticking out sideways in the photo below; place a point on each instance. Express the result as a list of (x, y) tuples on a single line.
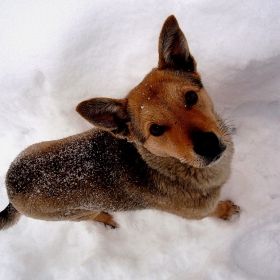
[(107, 114)]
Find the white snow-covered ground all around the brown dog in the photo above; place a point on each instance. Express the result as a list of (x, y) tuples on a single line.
[(55, 54)]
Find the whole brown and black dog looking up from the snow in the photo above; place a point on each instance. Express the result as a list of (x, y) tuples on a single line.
[(162, 147)]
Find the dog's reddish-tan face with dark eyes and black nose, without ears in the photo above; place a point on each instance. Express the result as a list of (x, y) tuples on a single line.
[(173, 116)]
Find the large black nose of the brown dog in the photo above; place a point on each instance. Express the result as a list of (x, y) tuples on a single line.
[(208, 145)]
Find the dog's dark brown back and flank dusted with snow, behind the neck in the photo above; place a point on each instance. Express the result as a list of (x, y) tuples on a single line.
[(95, 171)]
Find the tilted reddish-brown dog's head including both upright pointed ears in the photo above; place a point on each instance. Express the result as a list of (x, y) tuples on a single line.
[(169, 112)]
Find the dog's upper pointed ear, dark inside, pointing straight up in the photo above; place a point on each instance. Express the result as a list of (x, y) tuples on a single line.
[(173, 48)]
